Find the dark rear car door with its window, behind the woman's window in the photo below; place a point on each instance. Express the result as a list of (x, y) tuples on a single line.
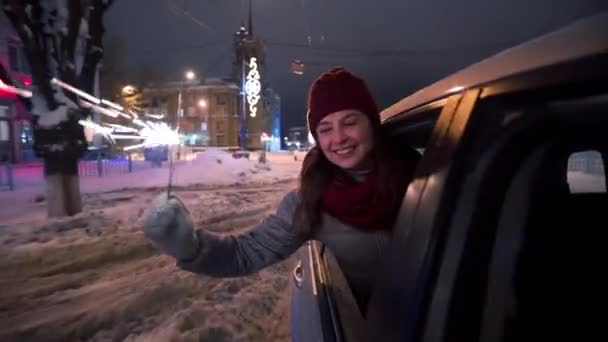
[(524, 246)]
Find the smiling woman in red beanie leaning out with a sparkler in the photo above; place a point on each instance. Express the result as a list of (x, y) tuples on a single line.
[(351, 187)]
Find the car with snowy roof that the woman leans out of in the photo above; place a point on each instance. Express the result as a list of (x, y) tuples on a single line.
[(499, 234)]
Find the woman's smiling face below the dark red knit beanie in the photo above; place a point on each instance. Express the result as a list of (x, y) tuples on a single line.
[(346, 138)]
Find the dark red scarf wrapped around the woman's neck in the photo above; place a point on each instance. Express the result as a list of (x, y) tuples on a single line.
[(357, 203)]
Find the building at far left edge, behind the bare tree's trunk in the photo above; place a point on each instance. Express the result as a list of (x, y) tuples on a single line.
[(16, 143)]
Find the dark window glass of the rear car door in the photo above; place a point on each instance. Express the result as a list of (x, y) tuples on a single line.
[(542, 250)]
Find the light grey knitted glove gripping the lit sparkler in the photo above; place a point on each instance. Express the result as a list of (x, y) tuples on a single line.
[(170, 226)]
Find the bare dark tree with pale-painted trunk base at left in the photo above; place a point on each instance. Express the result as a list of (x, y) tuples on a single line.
[(62, 39)]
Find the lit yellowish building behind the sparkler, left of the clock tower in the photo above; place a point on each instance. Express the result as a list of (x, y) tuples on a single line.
[(206, 112)]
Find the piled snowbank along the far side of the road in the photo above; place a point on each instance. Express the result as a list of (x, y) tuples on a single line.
[(24, 205)]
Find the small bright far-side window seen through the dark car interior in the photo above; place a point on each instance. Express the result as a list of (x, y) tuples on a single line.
[(586, 172)]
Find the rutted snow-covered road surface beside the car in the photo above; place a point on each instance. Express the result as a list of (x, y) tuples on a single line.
[(95, 277)]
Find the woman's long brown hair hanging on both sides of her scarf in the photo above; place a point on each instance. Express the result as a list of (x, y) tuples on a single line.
[(394, 167)]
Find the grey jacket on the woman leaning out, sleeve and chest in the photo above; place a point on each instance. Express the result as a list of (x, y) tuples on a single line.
[(358, 252)]
